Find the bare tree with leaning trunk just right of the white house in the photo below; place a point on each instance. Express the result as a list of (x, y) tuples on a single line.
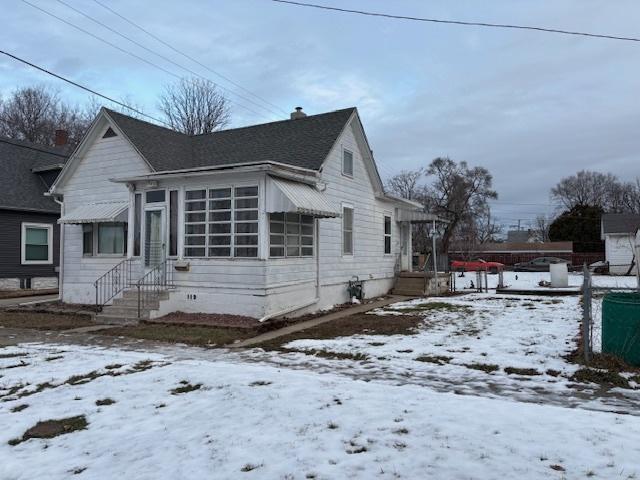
[(459, 193)]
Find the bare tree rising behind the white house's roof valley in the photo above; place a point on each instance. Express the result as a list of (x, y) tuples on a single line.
[(194, 106)]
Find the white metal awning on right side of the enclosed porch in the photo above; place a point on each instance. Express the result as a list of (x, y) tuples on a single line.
[(295, 197)]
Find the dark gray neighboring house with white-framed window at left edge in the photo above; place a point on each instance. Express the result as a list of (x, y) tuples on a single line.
[(29, 233)]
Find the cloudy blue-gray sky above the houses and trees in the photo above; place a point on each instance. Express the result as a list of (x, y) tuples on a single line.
[(530, 107)]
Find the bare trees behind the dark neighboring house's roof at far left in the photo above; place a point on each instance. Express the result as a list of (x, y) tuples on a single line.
[(34, 113)]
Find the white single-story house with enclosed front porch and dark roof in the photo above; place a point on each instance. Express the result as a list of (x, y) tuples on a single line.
[(265, 220)]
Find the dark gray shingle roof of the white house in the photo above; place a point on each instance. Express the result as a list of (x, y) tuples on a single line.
[(304, 142)]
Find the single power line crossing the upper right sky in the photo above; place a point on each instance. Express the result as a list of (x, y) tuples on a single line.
[(459, 22)]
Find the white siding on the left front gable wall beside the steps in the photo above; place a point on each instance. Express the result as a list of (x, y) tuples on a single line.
[(105, 159)]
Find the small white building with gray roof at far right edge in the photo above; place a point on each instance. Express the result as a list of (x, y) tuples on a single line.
[(618, 230)]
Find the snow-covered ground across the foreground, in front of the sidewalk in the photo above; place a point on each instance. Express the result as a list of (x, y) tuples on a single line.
[(259, 421)]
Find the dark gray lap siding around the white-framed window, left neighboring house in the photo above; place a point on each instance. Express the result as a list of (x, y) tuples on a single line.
[(10, 244)]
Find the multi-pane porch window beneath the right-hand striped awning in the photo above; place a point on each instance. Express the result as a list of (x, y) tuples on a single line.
[(290, 235)]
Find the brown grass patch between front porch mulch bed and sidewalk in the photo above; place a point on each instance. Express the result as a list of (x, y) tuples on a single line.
[(188, 334)]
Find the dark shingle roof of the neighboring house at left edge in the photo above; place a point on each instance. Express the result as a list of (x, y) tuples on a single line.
[(20, 188)]
